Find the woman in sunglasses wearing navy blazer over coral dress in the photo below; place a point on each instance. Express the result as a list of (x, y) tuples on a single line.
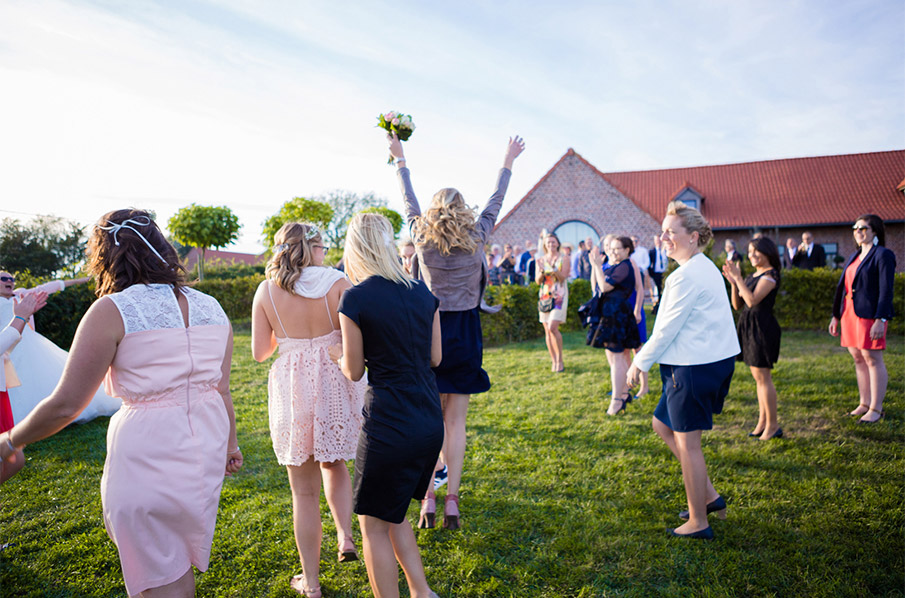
[(862, 305)]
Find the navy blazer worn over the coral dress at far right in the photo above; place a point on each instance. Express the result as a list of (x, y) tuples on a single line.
[(872, 287)]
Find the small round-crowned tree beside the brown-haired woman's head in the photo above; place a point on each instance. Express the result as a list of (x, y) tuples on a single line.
[(204, 227)]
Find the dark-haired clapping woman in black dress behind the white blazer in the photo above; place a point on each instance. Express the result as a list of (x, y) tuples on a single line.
[(758, 331)]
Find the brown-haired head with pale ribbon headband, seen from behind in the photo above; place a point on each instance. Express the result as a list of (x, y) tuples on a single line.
[(126, 247)]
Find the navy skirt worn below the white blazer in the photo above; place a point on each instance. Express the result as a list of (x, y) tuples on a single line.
[(693, 393)]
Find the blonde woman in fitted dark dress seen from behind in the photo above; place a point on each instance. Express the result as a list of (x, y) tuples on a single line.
[(391, 323)]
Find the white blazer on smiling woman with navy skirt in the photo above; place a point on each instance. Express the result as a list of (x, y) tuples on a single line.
[(694, 322)]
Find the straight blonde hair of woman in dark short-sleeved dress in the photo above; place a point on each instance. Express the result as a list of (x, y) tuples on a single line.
[(370, 250)]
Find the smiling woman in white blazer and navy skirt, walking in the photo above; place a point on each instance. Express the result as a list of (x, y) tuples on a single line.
[(694, 342)]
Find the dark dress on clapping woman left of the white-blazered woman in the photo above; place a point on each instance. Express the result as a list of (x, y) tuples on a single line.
[(618, 328)]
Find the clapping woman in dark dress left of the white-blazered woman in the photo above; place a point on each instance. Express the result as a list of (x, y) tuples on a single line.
[(618, 330)]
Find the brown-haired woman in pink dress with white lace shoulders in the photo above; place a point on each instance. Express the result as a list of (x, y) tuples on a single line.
[(165, 350)]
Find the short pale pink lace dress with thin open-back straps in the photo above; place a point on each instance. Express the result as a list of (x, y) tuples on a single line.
[(314, 409)]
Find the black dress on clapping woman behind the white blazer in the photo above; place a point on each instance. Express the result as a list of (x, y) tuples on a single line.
[(758, 331)]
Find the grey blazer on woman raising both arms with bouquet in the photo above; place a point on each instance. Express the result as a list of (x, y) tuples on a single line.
[(457, 280)]
